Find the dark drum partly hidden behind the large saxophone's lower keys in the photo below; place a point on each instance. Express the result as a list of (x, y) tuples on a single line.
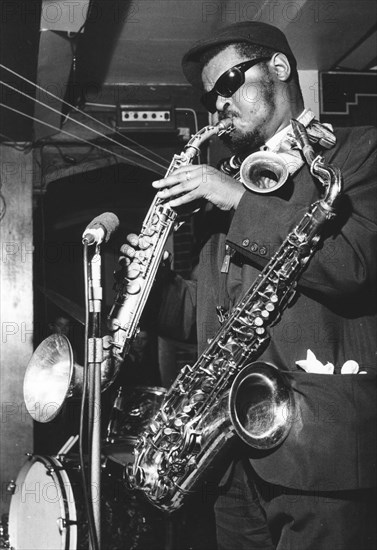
[(132, 410)]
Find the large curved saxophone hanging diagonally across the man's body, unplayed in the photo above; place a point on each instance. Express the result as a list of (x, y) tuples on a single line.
[(222, 394)]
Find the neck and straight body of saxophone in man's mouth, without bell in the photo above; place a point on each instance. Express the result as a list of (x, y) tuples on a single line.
[(134, 286)]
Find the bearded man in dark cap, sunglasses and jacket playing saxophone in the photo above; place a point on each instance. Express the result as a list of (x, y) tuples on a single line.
[(315, 490)]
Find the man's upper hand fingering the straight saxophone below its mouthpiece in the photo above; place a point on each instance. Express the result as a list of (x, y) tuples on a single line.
[(193, 182)]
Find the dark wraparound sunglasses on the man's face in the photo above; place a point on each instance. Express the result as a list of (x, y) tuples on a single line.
[(228, 83)]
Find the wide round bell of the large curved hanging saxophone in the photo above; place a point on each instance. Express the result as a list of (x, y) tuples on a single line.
[(261, 405)]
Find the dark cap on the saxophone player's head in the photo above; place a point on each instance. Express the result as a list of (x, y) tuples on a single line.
[(252, 32)]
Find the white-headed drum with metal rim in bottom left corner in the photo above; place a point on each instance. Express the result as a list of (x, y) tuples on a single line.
[(43, 513)]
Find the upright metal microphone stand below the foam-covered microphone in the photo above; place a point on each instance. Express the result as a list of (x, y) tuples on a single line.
[(95, 358)]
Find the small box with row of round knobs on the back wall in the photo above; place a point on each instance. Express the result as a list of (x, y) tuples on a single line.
[(149, 117)]
